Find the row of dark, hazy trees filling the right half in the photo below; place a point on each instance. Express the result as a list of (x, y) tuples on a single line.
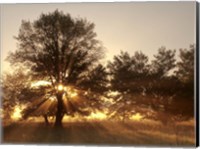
[(154, 87)]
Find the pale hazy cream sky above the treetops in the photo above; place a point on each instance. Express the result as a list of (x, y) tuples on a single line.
[(144, 26)]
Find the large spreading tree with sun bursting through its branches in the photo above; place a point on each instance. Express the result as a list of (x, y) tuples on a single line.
[(59, 49)]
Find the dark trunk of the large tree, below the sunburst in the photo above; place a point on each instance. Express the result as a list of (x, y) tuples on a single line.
[(59, 112)]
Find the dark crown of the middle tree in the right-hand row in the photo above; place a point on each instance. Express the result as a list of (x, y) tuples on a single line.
[(161, 77)]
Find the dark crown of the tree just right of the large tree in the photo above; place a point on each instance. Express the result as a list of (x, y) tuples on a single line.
[(129, 73)]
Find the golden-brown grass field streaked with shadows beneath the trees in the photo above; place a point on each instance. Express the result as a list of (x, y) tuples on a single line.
[(137, 133)]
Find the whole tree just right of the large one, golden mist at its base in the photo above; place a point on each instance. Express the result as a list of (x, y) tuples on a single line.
[(129, 74)]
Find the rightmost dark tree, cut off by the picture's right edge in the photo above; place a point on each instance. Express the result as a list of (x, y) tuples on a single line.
[(185, 73)]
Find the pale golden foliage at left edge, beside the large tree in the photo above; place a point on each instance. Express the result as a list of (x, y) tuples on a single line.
[(15, 90)]
